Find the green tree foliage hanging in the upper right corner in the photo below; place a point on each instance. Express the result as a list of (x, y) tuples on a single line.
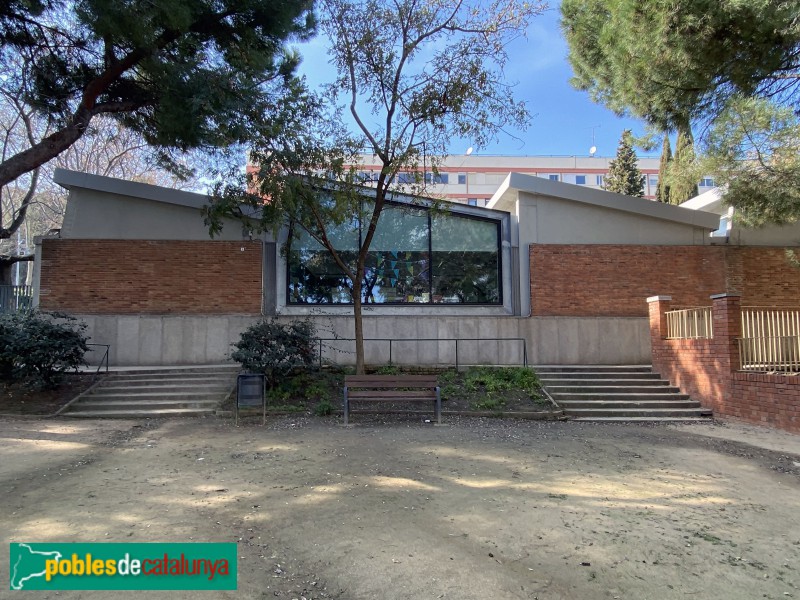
[(678, 62)]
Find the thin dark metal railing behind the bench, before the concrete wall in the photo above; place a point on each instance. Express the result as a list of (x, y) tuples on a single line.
[(458, 352)]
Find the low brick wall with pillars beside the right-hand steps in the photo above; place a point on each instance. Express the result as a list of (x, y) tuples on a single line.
[(707, 370)]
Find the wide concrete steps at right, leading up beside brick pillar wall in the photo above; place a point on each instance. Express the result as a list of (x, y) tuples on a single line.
[(617, 393)]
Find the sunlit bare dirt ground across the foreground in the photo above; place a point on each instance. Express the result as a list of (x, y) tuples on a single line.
[(476, 509)]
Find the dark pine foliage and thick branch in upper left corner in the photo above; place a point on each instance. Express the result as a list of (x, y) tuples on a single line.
[(182, 73)]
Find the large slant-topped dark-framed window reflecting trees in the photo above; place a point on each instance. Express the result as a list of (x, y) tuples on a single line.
[(416, 256)]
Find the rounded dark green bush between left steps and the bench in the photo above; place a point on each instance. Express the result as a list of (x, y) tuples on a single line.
[(276, 349)]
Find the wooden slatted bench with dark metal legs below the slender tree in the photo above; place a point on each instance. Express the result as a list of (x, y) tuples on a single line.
[(392, 388)]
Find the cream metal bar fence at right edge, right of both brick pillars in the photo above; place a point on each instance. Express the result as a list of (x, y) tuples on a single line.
[(770, 340)]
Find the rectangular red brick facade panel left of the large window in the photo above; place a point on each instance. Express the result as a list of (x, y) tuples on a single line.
[(151, 277)]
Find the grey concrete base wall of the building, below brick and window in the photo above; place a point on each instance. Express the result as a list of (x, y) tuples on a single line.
[(168, 340)]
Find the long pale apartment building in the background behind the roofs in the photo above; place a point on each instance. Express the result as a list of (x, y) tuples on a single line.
[(473, 179)]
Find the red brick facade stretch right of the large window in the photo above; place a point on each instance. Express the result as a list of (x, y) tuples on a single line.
[(611, 280)]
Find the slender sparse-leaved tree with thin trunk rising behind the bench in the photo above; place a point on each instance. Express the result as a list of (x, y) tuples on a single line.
[(413, 74)]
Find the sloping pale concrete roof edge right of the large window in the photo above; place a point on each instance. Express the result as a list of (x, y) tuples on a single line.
[(508, 193)]
